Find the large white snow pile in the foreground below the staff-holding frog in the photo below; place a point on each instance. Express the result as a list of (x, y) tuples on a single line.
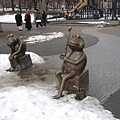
[(28, 103)]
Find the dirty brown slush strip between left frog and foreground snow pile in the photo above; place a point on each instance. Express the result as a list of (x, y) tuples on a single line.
[(34, 74)]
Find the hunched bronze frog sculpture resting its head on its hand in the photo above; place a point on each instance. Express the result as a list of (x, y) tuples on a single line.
[(18, 49)]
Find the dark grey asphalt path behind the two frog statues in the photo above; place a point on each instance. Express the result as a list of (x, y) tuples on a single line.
[(58, 45)]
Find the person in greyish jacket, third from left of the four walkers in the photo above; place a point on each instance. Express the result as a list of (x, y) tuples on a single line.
[(38, 19)]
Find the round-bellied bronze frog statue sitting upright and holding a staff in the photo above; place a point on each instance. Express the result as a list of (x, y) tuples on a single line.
[(73, 65)]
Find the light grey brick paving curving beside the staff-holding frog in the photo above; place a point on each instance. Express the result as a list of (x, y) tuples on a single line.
[(103, 64)]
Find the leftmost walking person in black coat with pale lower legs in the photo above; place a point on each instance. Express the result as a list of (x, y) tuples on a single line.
[(18, 19)]
